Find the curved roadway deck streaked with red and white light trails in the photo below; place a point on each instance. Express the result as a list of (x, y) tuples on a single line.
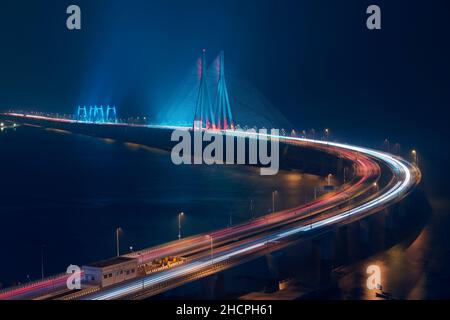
[(213, 252)]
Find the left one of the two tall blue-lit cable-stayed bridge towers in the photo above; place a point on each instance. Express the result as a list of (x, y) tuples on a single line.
[(203, 117)]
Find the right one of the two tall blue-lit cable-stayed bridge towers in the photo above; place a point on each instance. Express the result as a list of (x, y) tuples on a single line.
[(222, 108)]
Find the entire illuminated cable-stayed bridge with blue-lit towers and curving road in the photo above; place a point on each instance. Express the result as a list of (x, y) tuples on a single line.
[(370, 190)]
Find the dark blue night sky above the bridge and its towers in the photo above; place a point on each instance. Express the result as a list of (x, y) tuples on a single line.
[(315, 61)]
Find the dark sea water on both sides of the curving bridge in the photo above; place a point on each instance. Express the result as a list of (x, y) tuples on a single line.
[(67, 193)]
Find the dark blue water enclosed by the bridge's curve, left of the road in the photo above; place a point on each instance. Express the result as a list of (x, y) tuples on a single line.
[(67, 193)]
